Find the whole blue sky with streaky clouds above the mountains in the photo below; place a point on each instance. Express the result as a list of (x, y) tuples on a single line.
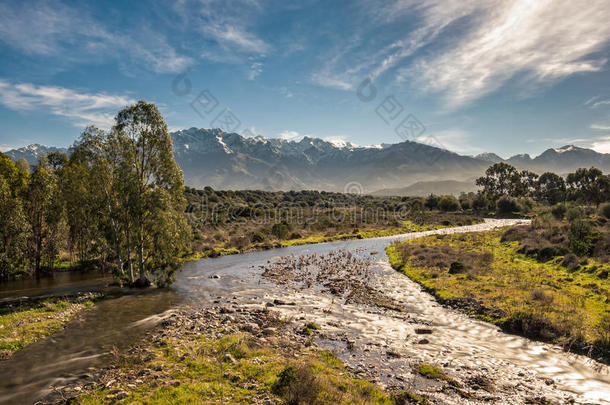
[(502, 76)]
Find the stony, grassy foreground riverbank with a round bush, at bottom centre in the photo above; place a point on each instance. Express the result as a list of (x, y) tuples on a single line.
[(223, 354)]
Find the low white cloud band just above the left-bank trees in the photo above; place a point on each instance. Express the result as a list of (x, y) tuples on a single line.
[(78, 107)]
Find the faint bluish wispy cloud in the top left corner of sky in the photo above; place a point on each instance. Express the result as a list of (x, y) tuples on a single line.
[(72, 35)]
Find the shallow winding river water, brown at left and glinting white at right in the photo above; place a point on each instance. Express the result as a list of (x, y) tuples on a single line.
[(456, 341)]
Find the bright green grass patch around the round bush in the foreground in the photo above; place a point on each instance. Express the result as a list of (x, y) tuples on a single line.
[(236, 369)]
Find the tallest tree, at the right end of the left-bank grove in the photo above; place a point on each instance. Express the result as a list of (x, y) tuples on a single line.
[(153, 187)]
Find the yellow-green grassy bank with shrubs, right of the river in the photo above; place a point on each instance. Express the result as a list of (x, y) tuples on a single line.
[(483, 274)]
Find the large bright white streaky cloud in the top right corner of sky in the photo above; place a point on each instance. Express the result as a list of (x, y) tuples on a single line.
[(544, 40)]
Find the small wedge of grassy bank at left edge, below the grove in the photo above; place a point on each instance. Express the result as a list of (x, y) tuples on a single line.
[(24, 323)]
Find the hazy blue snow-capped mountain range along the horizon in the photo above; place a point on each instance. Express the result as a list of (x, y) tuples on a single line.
[(211, 157)]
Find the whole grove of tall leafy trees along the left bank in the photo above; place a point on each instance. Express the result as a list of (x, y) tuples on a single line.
[(117, 200)]
